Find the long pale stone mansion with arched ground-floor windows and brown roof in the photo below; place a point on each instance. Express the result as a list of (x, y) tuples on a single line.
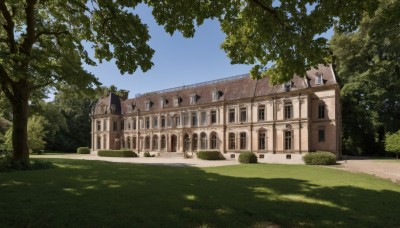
[(230, 115)]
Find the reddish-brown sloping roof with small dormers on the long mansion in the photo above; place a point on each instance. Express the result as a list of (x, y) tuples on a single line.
[(233, 88)]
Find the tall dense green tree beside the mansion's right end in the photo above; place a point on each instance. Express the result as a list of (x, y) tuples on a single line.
[(368, 66)]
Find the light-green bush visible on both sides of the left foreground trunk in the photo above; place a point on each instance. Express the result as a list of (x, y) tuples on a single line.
[(36, 134)]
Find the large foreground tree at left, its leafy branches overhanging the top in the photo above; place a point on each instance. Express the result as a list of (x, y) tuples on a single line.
[(42, 41)]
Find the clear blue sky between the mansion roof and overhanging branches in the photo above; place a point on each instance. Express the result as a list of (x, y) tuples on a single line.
[(177, 60)]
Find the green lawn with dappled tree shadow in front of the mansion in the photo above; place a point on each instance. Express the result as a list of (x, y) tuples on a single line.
[(102, 194)]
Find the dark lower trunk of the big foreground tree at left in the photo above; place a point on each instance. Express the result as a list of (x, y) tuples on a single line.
[(20, 108)]
